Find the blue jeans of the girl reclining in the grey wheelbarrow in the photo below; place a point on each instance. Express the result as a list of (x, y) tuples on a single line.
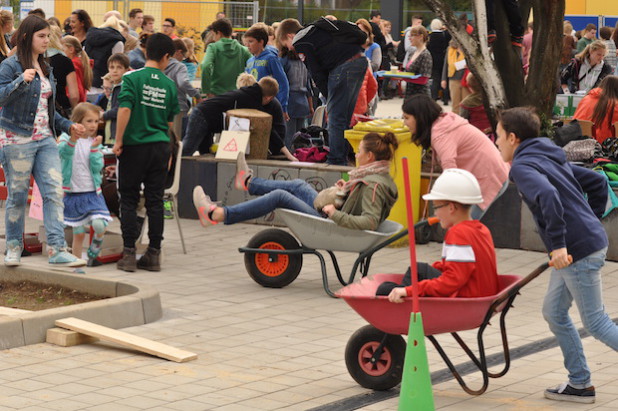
[(295, 195)]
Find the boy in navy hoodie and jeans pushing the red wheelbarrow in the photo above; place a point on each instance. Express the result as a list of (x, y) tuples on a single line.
[(566, 202)]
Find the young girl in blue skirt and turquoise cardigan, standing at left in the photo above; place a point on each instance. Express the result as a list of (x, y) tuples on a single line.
[(82, 162)]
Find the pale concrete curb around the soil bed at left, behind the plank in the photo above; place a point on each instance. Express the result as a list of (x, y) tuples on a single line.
[(128, 305)]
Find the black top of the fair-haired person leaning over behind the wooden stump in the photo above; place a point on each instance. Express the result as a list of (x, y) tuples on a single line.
[(245, 97)]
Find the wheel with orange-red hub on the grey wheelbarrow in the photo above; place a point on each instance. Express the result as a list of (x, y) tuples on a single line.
[(274, 270)]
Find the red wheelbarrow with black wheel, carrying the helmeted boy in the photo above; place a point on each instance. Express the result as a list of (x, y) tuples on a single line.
[(375, 353)]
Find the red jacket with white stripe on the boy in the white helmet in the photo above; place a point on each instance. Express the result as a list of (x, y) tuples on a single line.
[(468, 264)]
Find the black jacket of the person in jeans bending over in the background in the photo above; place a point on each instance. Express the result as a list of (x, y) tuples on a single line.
[(326, 44)]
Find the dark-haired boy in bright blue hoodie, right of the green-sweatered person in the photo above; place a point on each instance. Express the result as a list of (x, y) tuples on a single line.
[(265, 63)]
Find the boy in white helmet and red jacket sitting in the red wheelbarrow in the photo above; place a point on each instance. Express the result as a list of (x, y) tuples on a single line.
[(468, 264)]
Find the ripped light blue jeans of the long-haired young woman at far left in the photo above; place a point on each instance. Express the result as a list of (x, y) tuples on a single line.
[(41, 159)]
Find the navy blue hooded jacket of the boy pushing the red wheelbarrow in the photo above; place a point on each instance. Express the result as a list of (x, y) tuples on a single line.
[(555, 192)]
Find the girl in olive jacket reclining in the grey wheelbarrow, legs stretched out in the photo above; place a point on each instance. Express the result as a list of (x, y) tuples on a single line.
[(369, 195)]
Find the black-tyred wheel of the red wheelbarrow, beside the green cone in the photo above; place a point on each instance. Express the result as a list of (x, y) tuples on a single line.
[(381, 373)]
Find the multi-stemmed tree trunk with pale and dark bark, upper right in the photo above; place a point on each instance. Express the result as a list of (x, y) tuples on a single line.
[(503, 80)]
